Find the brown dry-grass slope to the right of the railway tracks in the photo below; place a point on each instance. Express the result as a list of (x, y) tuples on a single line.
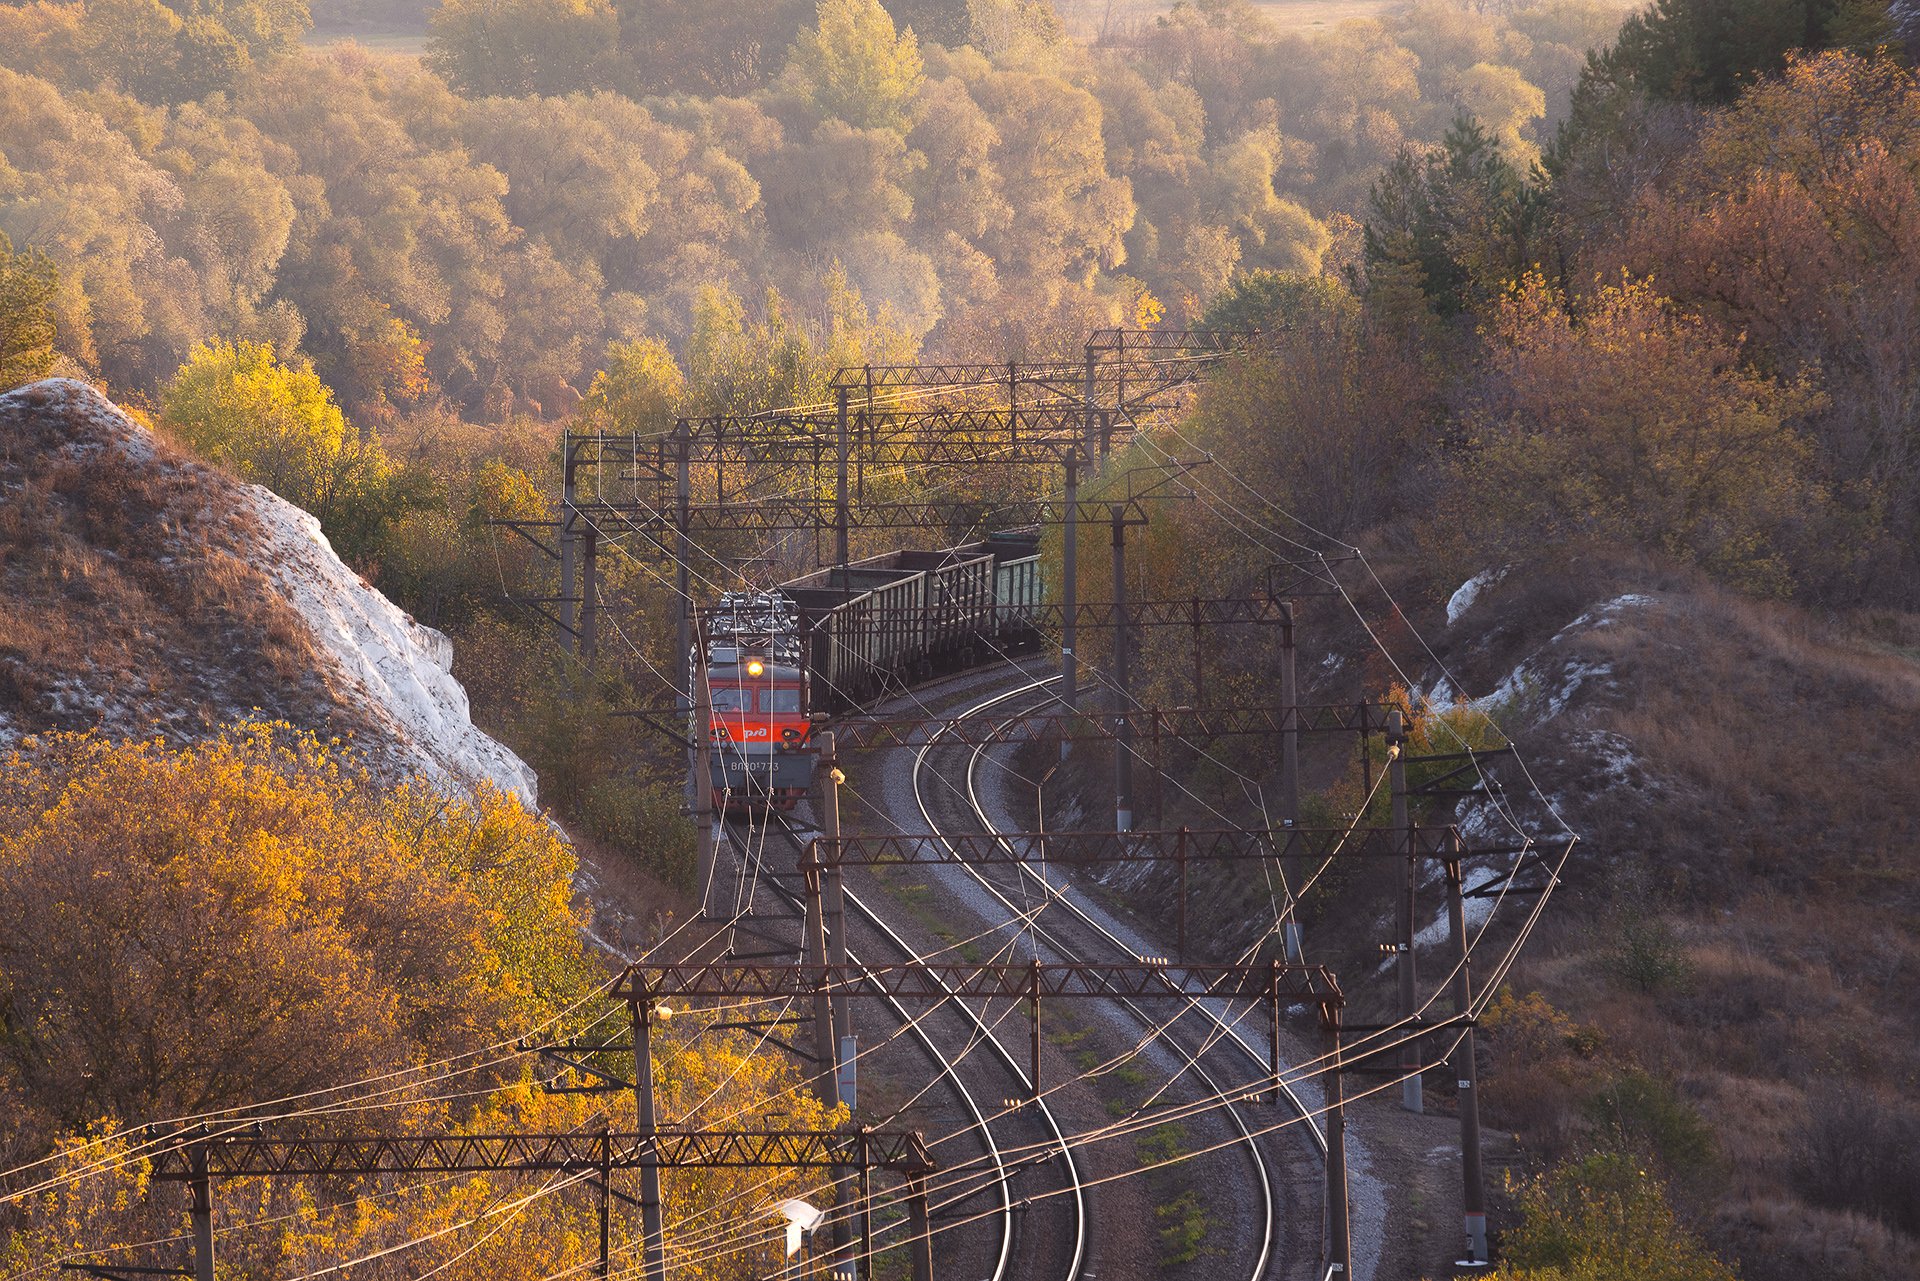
[(1740, 936)]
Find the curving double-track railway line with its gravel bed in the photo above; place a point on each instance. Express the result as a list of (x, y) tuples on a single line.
[(1026, 1159)]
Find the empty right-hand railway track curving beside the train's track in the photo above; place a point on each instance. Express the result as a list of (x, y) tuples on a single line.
[(1082, 936)]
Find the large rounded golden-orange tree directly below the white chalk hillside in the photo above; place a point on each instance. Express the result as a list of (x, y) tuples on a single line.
[(254, 917)]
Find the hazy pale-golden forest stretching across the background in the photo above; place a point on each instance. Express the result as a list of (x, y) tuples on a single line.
[(479, 226)]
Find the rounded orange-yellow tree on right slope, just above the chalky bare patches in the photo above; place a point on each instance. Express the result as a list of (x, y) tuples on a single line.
[(1627, 423)]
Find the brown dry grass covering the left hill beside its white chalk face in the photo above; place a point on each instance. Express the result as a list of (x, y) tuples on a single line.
[(128, 592)]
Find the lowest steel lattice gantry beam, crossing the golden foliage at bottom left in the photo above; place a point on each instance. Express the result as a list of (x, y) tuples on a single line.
[(231, 1157)]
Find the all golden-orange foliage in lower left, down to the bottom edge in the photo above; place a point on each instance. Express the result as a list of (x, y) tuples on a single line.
[(258, 919)]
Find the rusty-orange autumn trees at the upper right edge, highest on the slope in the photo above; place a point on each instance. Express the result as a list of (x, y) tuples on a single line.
[(1798, 224)]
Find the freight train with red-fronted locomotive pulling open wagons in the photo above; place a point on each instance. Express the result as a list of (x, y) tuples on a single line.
[(786, 660)]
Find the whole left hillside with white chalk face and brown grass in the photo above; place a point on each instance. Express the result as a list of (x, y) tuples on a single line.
[(143, 592)]
